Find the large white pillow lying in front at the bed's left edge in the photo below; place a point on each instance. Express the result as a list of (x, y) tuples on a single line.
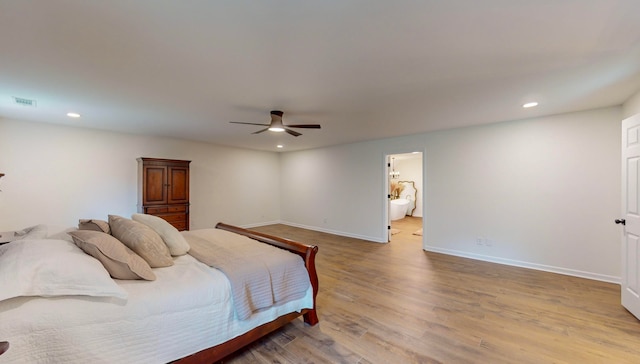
[(52, 268)]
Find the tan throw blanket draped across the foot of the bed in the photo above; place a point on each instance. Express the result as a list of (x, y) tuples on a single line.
[(261, 275)]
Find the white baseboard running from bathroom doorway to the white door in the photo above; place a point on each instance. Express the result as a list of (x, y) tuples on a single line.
[(521, 264)]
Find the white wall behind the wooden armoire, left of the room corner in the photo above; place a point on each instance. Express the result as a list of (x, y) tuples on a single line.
[(57, 175)]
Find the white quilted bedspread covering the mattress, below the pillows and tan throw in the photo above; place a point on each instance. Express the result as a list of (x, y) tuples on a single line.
[(188, 308)]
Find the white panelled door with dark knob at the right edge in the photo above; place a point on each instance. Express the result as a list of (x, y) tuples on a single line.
[(631, 214)]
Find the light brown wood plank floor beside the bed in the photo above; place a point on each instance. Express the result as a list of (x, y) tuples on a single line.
[(395, 303)]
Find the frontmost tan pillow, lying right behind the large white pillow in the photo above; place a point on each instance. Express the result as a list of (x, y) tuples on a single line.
[(120, 261)]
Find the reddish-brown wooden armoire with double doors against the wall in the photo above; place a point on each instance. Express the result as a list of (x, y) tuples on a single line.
[(163, 190)]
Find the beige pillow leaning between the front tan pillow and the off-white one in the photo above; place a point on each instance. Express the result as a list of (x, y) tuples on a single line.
[(142, 240)]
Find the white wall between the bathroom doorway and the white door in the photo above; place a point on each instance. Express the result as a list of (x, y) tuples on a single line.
[(545, 192)]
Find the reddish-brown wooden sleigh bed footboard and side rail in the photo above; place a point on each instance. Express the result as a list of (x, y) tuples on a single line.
[(308, 253)]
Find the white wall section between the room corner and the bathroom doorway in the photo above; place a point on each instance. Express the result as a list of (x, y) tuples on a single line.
[(338, 190)]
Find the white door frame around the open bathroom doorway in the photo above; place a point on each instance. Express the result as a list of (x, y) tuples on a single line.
[(386, 218)]
